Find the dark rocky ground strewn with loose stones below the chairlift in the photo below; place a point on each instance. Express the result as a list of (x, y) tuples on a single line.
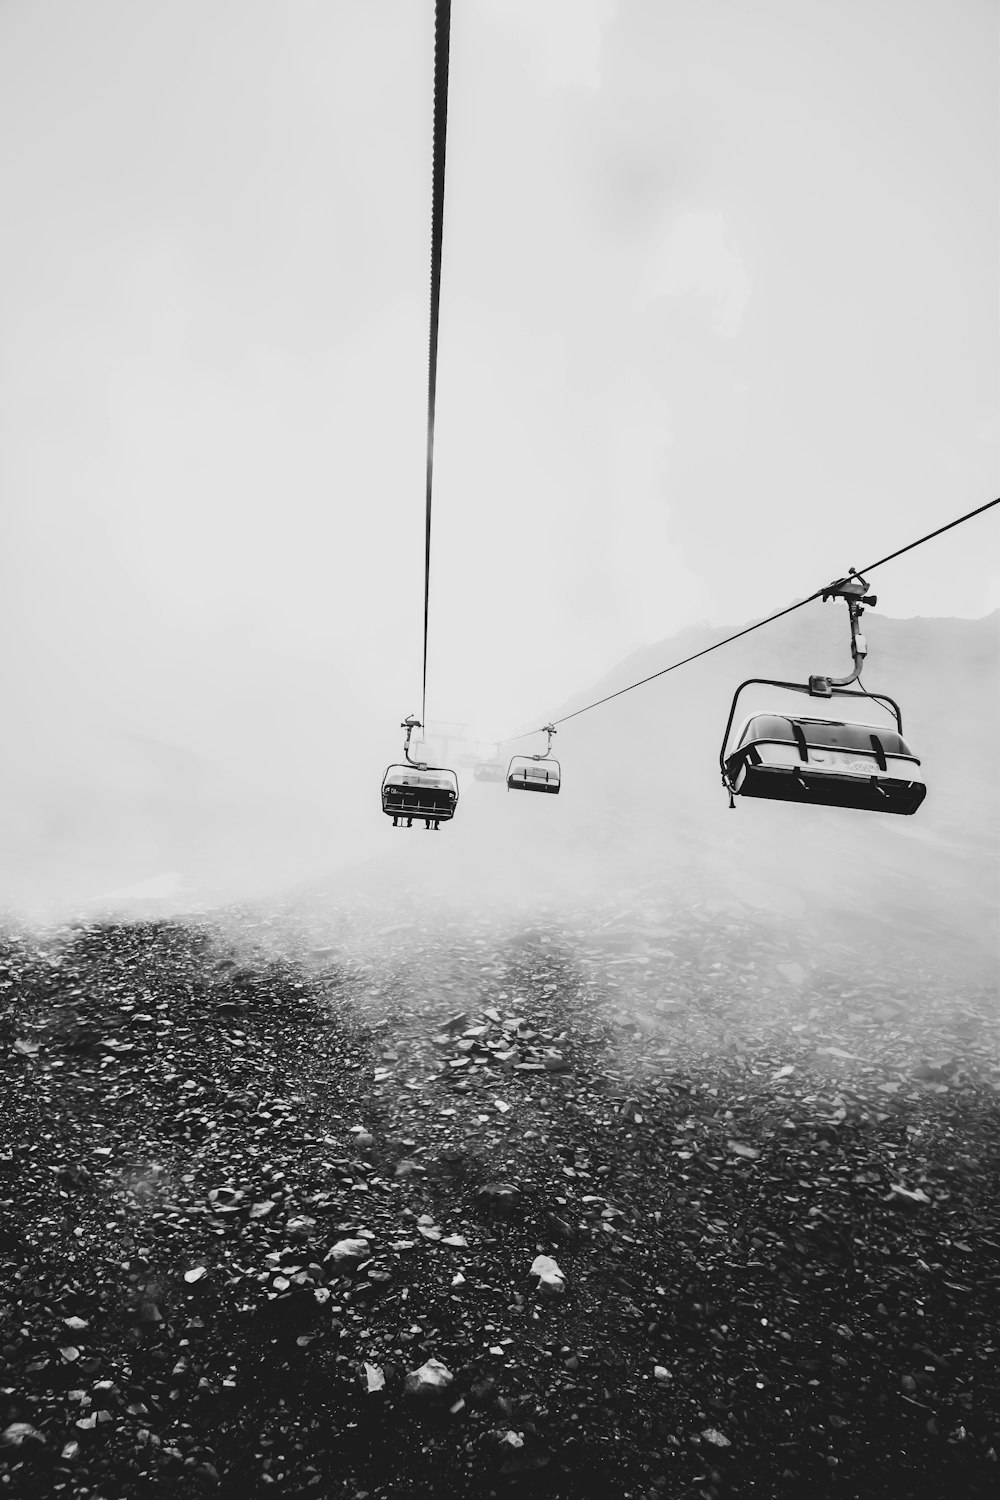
[(272, 1210)]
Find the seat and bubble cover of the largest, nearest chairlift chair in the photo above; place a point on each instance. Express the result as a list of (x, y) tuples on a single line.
[(798, 760)]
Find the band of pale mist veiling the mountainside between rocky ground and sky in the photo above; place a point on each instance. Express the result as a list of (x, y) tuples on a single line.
[(274, 779)]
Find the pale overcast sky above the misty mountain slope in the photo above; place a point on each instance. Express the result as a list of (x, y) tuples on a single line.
[(719, 320)]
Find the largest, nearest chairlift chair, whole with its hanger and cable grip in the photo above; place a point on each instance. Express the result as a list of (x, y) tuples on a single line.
[(825, 761)]
